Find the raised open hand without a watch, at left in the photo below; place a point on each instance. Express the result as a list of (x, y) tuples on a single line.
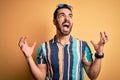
[(27, 50)]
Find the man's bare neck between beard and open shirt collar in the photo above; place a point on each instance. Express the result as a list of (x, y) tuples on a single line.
[(63, 39)]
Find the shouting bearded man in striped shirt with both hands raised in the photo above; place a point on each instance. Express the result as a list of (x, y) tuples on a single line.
[(64, 57)]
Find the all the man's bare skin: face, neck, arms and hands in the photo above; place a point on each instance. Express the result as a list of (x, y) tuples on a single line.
[(64, 18)]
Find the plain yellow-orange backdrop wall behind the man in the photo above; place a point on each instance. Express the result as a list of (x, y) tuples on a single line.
[(34, 18)]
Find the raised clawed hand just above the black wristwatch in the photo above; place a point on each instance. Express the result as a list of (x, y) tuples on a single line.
[(100, 45)]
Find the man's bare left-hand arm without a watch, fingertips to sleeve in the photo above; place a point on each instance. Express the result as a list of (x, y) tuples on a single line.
[(38, 71)]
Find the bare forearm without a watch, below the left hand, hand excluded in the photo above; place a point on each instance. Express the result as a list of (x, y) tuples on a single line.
[(36, 72)]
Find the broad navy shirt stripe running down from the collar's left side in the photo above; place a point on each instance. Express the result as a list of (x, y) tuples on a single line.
[(54, 60)]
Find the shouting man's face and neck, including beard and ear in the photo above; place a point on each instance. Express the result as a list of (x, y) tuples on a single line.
[(63, 32)]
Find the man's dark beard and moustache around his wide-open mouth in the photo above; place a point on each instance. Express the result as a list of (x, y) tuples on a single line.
[(61, 30)]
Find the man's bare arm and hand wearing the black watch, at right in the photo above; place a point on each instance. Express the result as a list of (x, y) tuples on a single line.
[(93, 68)]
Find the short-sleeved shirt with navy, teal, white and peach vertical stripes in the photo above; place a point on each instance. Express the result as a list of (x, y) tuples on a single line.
[(64, 62)]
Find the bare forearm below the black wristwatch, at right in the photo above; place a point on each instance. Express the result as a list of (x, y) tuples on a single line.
[(94, 69)]
